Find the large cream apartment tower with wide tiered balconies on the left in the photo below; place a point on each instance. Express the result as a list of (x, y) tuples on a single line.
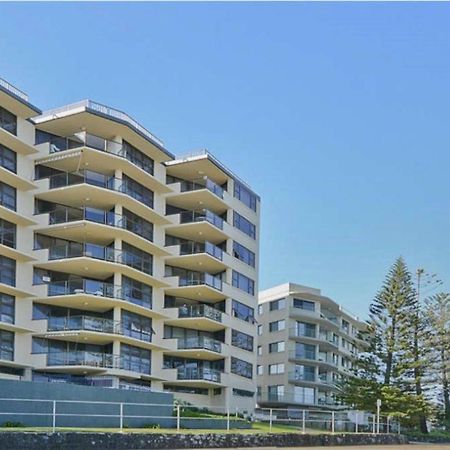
[(120, 264)]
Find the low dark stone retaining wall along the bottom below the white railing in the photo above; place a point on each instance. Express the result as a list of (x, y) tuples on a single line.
[(10, 440)]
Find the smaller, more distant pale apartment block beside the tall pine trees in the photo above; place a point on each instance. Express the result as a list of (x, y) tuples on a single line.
[(306, 342)]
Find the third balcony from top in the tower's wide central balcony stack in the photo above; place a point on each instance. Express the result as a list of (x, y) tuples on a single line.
[(102, 225)]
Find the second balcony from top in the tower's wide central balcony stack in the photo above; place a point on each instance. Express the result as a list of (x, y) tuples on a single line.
[(103, 191)]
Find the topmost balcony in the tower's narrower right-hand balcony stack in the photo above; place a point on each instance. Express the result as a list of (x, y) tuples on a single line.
[(203, 191)]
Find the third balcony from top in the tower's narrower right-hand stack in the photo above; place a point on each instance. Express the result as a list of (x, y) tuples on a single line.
[(191, 255)]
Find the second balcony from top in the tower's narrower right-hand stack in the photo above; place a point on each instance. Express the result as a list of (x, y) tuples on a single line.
[(192, 224)]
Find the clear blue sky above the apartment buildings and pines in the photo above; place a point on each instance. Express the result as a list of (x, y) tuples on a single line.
[(336, 114)]
